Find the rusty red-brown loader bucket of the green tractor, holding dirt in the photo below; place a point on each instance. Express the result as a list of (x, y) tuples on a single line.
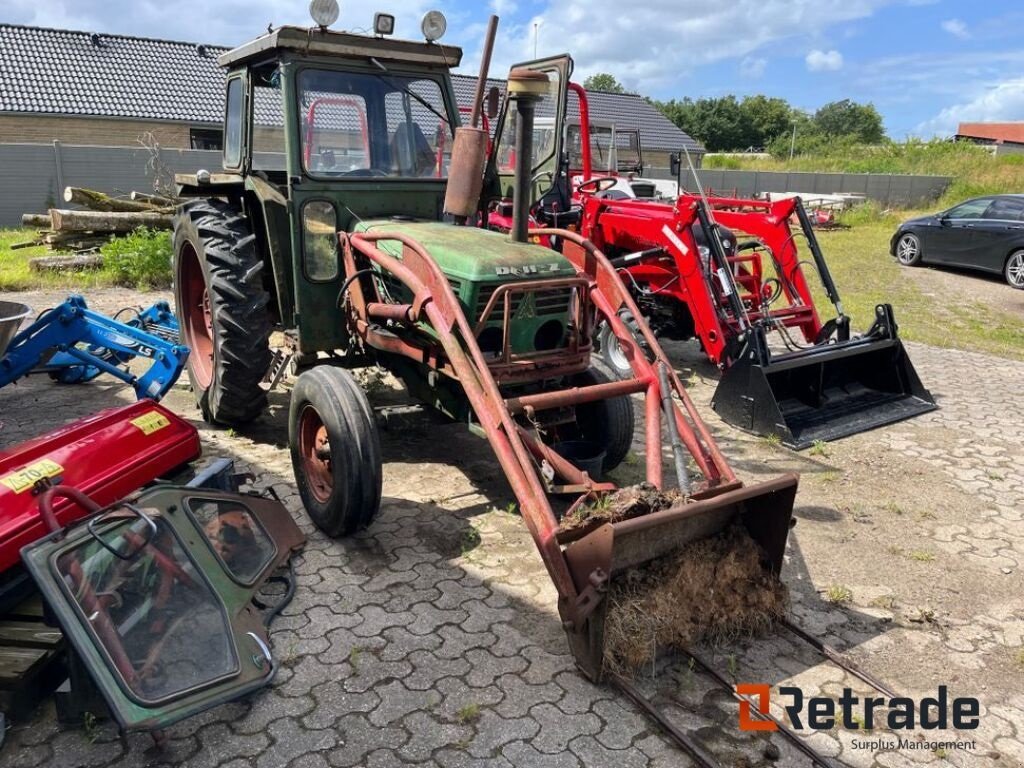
[(607, 553)]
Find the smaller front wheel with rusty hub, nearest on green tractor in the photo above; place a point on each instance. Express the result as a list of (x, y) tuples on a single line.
[(336, 452)]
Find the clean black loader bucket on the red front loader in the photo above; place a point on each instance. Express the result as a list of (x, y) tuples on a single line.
[(825, 393)]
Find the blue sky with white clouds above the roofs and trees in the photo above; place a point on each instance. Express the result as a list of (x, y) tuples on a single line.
[(927, 65)]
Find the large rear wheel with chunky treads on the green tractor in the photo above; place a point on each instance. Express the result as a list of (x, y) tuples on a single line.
[(223, 311)]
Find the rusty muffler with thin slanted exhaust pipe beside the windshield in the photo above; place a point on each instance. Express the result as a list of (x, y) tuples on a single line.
[(470, 152)]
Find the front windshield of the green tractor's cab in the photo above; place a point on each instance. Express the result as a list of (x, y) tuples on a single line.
[(373, 124)]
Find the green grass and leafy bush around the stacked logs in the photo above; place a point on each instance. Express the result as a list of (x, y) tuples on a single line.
[(141, 261)]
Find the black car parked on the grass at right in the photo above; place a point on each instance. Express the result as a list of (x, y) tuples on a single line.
[(985, 234)]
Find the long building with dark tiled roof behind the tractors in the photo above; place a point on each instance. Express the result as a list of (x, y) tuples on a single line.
[(88, 89)]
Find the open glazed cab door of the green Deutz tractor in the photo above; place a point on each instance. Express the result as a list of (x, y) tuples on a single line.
[(547, 168)]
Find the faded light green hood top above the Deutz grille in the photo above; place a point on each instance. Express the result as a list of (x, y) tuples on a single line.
[(474, 254)]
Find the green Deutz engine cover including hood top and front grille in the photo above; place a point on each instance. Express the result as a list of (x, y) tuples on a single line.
[(477, 263)]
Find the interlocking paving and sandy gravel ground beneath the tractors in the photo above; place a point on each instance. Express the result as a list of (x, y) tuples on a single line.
[(432, 638)]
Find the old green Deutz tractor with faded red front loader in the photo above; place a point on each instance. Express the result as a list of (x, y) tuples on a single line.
[(333, 222)]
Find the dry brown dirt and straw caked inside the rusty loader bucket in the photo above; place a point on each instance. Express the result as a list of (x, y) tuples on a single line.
[(714, 590)]
